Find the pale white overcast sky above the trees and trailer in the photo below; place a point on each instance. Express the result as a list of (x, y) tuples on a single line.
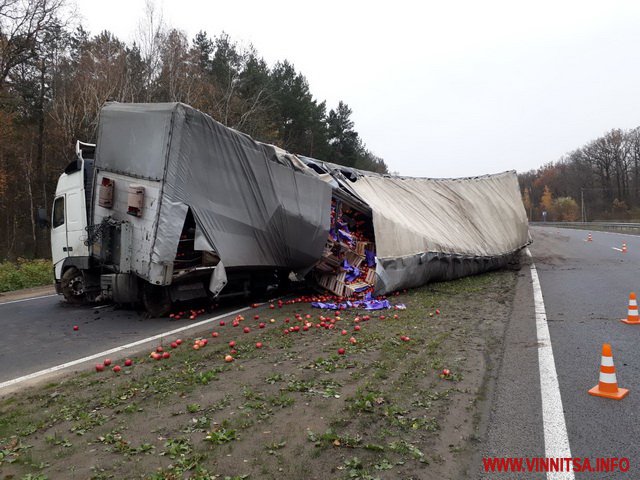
[(439, 89)]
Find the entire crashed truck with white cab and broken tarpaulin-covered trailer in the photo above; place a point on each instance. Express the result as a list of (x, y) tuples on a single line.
[(177, 206)]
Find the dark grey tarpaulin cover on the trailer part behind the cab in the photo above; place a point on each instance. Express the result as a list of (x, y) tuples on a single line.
[(252, 205)]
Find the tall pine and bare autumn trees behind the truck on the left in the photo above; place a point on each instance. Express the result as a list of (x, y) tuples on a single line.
[(55, 77)]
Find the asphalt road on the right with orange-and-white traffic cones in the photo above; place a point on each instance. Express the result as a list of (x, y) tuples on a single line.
[(586, 288)]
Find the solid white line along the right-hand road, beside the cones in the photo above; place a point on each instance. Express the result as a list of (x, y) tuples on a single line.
[(556, 440)]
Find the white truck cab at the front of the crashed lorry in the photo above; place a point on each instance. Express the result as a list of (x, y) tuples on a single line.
[(70, 253)]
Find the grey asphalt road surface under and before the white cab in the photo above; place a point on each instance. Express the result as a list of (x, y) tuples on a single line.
[(38, 333)]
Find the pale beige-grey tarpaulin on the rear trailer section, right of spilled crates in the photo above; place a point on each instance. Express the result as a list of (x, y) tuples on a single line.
[(432, 229)]
